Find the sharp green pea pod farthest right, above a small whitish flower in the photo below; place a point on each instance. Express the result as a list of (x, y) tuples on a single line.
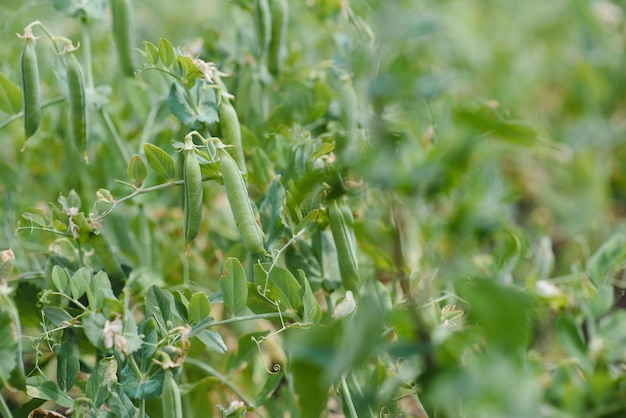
[(342, 227)]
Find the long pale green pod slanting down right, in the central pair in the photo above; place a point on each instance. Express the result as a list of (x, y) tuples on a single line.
[(240, 204)]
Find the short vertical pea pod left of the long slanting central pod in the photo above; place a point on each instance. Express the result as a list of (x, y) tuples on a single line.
[(192, 204)]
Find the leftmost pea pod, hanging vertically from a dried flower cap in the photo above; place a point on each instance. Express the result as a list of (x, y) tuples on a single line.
[(31, 88)]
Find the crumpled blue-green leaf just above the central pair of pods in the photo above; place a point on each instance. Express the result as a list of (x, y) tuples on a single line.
[(194, 108)]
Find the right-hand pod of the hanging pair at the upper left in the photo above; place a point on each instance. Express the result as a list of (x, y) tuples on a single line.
[(78, 104)]
